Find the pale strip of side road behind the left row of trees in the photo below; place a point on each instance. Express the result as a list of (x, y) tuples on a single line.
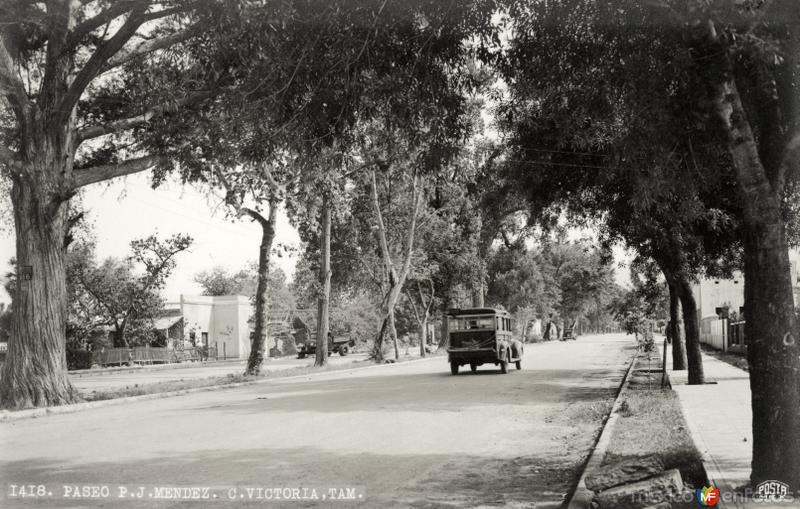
[(106, 380)]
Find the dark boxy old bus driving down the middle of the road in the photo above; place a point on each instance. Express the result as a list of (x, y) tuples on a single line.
[(482, 336)]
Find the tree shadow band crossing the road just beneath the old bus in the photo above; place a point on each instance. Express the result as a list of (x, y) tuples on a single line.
[(437, 392)]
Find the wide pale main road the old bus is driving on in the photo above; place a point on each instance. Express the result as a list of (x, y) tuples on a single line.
[(404, 435)]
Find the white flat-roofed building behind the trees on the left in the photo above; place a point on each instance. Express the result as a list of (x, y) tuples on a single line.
[(217, 321)]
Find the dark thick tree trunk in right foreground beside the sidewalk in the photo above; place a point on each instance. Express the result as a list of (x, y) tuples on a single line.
[(773, 352)]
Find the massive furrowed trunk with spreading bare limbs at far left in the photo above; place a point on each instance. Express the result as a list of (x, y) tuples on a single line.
[(34, 373)]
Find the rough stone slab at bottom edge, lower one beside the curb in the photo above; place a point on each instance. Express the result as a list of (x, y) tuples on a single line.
[(664, 487)]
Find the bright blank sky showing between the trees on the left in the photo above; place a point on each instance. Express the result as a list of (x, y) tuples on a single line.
[(127, 209)]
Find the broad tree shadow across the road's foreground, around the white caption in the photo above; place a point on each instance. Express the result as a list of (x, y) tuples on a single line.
[(464, 481)]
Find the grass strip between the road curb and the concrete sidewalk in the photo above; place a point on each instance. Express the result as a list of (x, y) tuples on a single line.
[(651, 423)]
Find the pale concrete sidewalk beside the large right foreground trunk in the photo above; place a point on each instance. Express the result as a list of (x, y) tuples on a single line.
[(720, 420)]
